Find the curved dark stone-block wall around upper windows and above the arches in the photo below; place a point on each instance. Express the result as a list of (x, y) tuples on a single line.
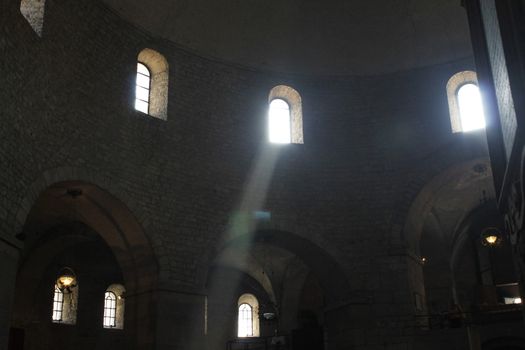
[(370, 145)]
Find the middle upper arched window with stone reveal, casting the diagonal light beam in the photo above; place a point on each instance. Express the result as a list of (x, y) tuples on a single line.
[(285, 115)]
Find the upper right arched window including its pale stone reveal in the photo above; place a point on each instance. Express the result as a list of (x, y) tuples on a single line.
[(465, 105)]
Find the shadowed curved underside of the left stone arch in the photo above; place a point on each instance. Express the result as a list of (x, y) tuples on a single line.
[(73, 195)]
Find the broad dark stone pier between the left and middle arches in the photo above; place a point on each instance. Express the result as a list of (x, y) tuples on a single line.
[(180, 320)]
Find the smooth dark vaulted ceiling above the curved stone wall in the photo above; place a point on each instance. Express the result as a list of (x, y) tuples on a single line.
[(310, 36)]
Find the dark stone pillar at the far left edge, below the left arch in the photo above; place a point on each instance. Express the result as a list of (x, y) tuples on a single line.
[(8, 269)]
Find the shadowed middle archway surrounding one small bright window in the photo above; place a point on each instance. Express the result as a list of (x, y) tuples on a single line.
[(280, 263)]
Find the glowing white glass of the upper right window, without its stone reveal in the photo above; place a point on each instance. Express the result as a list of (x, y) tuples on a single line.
[(470, 108)]
